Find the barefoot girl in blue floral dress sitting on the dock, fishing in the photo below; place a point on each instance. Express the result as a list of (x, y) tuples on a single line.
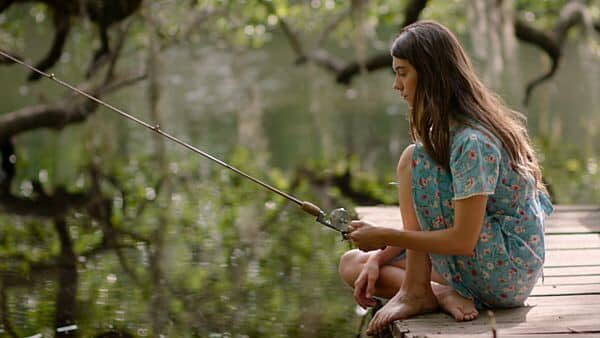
[(470, 193)]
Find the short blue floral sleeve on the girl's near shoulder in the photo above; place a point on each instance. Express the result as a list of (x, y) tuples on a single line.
[(474, 164)]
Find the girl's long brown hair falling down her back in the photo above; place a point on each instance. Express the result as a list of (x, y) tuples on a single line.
[(448, 89)]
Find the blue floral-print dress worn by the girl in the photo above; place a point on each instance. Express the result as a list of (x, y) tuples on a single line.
[(509, 255)]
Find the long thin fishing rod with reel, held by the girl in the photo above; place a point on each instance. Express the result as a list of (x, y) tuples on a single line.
[(338, 220)]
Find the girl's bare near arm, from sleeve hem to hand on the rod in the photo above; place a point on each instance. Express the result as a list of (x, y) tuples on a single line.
[(457, 240)]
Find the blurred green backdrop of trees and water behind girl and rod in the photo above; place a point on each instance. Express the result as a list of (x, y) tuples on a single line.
[(107, 230)]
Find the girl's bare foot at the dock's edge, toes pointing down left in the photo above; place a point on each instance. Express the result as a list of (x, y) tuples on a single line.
[(404, 304)]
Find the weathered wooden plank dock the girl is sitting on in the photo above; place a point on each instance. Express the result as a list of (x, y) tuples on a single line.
[(565, 304)]
